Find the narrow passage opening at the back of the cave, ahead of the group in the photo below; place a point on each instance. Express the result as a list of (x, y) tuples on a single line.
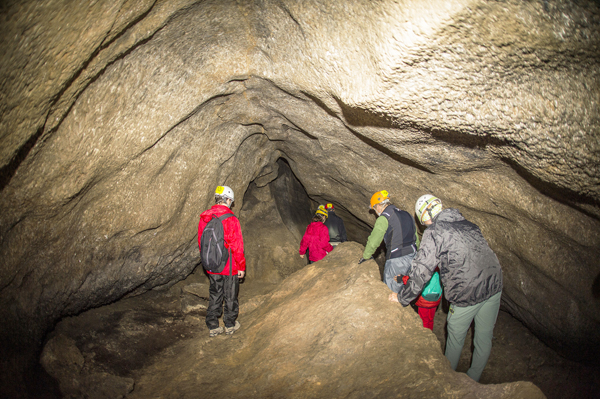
[(274, 218)]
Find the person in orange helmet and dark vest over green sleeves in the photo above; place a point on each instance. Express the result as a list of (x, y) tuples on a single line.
[(397, 228)]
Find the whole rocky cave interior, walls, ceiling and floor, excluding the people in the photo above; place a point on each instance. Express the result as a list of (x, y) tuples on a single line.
[(119, 119)]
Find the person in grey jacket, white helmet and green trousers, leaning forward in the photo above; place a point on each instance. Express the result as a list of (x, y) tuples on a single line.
[(470, 273)]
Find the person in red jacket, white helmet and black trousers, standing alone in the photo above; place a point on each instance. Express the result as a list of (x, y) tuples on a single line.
[(224, 286)]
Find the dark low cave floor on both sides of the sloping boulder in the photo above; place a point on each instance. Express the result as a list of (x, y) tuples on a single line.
[(125, 337)]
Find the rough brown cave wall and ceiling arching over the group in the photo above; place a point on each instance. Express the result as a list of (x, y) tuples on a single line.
[(118, 119)]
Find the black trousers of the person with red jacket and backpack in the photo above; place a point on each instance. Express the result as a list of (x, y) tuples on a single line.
[(222, 289)]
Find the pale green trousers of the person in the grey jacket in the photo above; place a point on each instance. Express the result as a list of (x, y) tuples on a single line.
[(459, 321)]
